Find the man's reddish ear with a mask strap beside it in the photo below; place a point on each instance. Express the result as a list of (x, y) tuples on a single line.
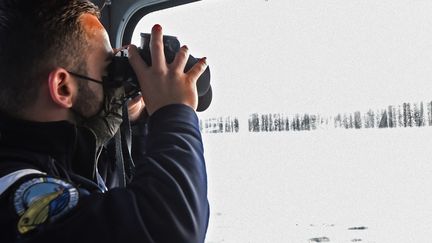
[(62, 88)]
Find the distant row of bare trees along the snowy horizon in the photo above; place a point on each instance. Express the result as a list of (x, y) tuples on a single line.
[(404, 115)]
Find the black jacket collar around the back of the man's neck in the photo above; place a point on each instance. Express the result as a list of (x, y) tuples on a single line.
[(71, 146)]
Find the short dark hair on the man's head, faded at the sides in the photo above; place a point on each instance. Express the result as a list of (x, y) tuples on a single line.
[(37, 36)]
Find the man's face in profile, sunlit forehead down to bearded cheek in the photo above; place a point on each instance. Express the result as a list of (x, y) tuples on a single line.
[(90, 95)]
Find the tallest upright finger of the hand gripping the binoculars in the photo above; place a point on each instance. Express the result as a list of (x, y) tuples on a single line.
[(157, 47)]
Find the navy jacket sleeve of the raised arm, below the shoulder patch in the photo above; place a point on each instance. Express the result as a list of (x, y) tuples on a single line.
[(165, 202)]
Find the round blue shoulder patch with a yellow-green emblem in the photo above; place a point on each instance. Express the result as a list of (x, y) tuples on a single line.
[(41, 200)]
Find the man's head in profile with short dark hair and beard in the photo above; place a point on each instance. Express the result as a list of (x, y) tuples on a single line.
[(40, 41)]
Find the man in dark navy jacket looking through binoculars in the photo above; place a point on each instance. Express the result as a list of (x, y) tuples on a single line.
[(57, 117)]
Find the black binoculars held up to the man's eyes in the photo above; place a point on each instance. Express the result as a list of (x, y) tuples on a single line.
[(120, 72)]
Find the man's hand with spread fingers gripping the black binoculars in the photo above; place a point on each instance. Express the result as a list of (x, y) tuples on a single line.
[(164, 84)]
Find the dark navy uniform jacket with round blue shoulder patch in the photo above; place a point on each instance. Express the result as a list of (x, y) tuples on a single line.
[(49, 190)]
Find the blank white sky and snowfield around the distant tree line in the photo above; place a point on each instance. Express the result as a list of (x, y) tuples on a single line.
[(313, 56)]
